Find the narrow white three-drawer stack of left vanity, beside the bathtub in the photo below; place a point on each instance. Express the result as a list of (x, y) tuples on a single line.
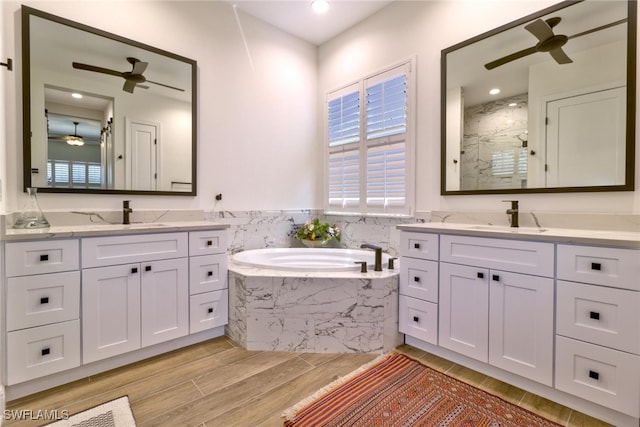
[(208, 291)]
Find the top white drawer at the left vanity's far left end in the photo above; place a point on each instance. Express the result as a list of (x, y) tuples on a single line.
[(42, 256)]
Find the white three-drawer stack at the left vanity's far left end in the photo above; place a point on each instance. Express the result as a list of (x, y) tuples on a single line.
[(42, 309)]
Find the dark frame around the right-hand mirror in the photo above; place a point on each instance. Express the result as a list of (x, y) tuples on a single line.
[(630, 114)]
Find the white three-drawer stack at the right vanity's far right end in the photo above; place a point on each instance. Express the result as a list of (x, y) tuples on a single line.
[(598, 324)]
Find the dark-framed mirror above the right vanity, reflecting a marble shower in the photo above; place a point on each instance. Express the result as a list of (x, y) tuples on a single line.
[(543, 104)]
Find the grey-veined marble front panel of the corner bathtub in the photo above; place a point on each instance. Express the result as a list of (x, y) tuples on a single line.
[(346, 312)]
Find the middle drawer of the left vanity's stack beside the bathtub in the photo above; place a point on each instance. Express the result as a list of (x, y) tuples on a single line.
[(207, 273)]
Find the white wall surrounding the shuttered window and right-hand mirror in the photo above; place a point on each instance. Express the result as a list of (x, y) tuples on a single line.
[(424, 28)]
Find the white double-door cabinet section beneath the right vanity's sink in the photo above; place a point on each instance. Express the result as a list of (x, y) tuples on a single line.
[(497, 303)]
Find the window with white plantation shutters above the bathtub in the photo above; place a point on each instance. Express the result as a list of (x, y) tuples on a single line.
[(369, 142)]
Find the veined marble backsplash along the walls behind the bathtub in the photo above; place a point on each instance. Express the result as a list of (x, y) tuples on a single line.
[(264, 229)]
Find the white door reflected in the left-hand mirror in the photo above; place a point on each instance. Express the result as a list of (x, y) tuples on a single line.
[(143, 156)]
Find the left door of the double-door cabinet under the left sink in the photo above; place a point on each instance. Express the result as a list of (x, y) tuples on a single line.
[(110, 311)]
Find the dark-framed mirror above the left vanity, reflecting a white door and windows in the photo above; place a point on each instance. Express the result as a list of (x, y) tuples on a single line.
[(104, 114)]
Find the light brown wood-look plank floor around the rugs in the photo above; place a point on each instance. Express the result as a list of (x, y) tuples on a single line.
[(216, 383)]
